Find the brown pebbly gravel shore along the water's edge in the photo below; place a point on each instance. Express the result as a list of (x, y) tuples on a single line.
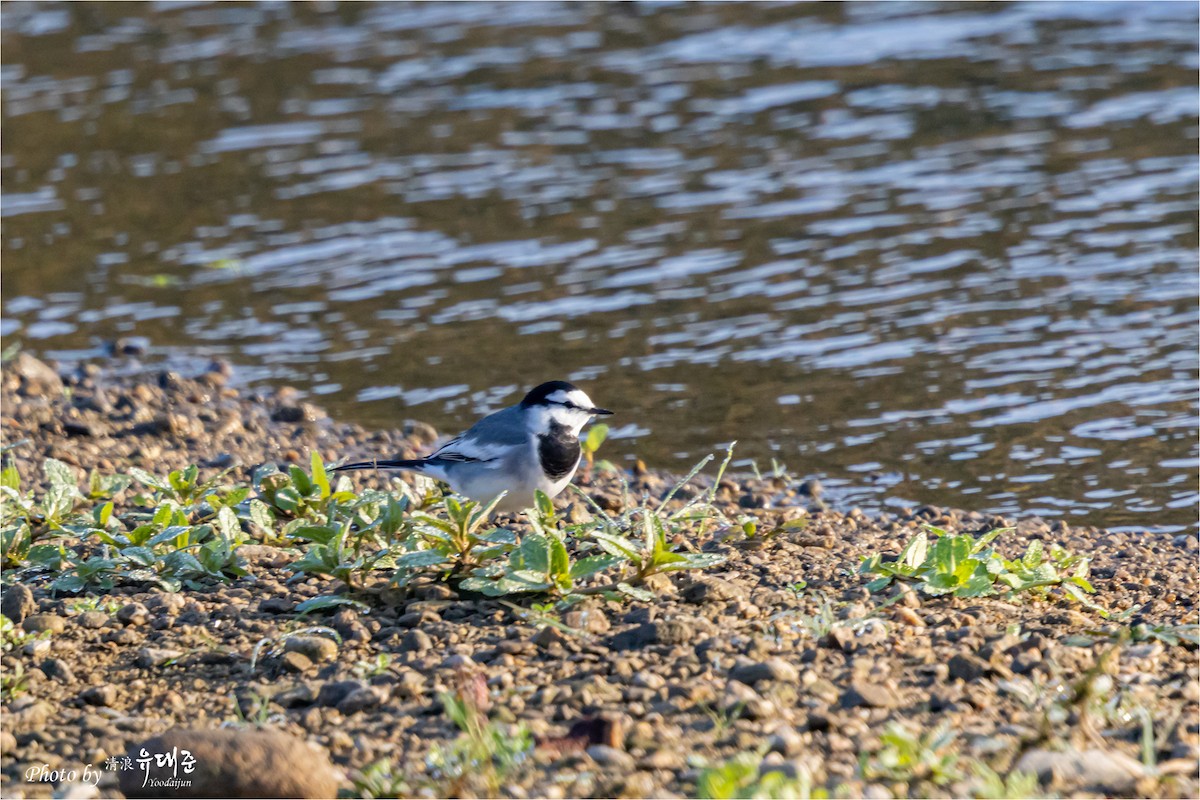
[(625, 699)]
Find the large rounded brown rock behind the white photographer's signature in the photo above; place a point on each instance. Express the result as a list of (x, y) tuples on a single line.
[(236, 763)]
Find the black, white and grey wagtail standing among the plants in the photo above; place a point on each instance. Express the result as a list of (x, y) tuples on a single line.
[(519, 450)]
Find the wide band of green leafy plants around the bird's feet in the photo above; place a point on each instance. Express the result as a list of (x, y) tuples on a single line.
[(183, 531)]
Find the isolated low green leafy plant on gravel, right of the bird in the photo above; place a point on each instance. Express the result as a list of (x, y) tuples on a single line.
[(965, 567)]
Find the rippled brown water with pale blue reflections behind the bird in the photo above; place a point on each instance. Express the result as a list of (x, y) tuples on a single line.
[(932, 254)]
